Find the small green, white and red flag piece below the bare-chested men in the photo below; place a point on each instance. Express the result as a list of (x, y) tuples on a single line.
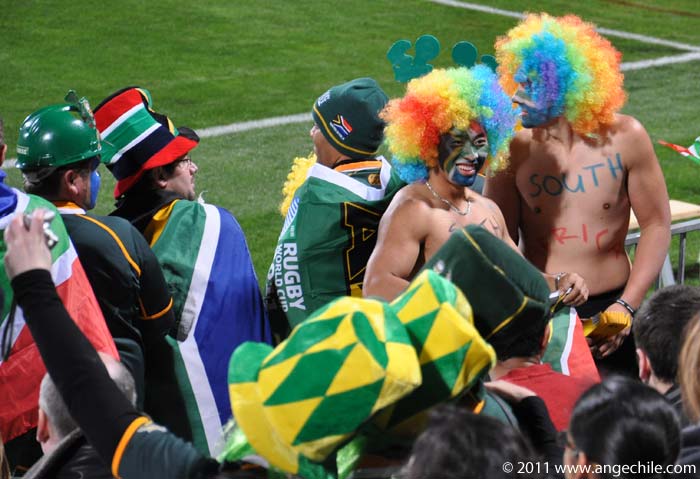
[(567, 351)]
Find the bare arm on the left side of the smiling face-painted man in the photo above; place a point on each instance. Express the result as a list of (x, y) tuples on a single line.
[(396, 253)]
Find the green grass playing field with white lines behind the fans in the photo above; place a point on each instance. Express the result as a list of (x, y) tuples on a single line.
[(211, 63)]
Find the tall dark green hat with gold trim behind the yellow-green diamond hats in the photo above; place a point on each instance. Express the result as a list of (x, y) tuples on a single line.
[(506, 291)]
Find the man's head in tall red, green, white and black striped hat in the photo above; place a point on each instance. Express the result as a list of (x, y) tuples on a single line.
[(142, 147)]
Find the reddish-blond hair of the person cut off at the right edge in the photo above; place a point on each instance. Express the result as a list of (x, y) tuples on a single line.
[(689, 369)]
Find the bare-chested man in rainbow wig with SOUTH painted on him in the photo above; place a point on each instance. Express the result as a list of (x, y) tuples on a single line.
[(578, 167)]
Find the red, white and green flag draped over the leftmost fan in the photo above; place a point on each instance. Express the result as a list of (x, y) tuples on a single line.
[(21, 373)]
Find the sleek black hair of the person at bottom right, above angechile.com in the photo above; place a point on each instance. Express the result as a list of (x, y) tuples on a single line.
[(622, 422)]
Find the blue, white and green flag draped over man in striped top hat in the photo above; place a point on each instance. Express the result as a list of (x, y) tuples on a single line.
[(217, 301)]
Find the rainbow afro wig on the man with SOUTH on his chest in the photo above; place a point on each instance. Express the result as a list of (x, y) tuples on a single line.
[(573, 70)]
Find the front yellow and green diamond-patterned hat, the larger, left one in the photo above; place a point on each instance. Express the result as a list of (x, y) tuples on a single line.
[(299, 402)]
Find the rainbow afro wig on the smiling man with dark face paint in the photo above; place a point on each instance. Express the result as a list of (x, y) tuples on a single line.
[(439, 101)]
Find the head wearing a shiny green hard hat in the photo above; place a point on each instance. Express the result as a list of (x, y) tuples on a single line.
[(59, 151)]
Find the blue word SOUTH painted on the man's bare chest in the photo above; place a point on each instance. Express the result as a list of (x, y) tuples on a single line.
[(590, 178)]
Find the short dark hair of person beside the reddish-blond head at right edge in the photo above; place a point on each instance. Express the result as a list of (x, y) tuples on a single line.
[(659, 324)]
